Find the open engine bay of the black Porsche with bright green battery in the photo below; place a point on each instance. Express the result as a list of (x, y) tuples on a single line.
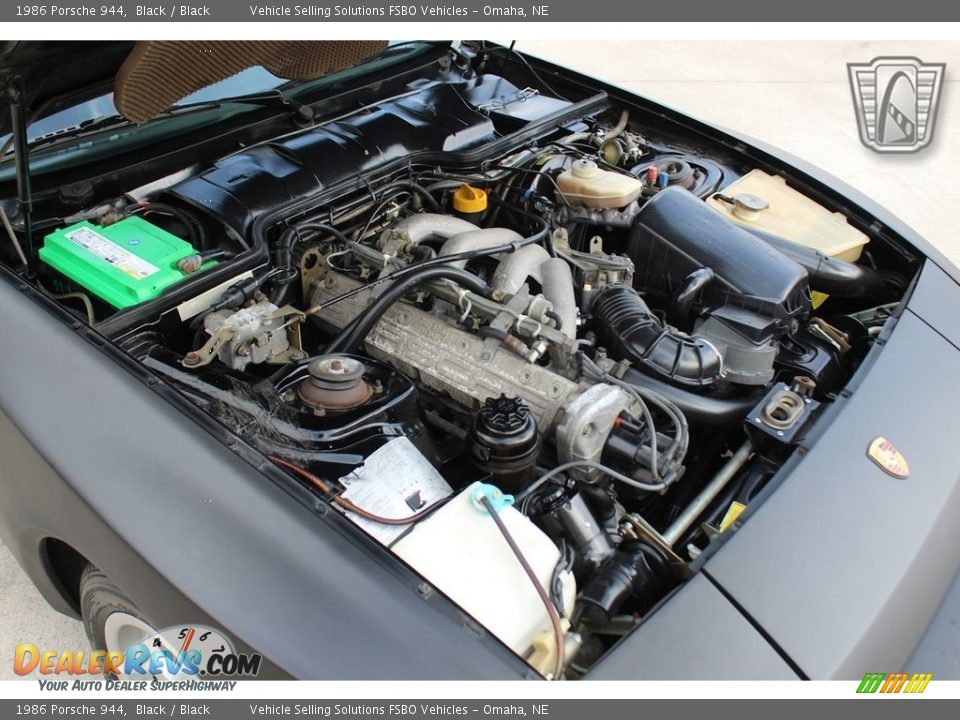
[(545, 352)]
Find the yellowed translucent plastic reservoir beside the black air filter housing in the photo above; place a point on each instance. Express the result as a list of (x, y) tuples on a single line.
[(767, 203)]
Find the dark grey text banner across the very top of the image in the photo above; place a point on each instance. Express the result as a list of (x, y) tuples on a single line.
[(260, 11)]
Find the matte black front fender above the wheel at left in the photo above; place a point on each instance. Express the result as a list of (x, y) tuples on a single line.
[(163, 508)]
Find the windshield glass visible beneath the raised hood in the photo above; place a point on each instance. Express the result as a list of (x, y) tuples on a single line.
[(248, 82)]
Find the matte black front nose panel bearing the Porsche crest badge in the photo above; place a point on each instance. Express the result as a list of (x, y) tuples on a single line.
[(844, 565)]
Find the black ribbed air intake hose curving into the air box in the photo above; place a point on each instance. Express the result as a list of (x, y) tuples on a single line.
[(628, 330)]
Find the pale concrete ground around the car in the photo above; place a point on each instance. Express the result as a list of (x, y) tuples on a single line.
[(794, 95)]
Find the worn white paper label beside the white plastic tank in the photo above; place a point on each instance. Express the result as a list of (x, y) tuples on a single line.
[(395, 482)]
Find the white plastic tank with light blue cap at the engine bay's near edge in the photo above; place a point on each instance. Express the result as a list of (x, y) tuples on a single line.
[(460, 550)]
